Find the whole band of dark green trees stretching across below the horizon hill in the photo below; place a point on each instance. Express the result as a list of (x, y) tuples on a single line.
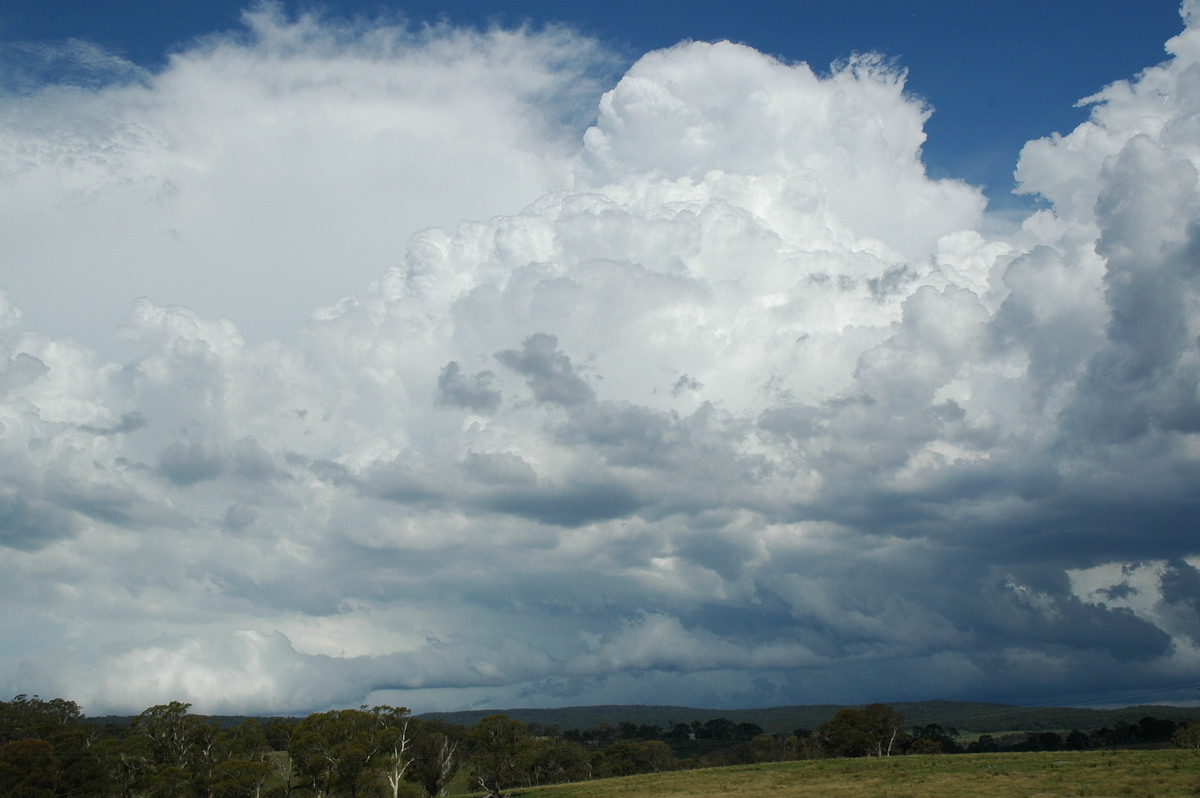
[(49, 752)]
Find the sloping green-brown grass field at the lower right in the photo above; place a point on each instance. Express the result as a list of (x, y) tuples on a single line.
[(1012, 776)]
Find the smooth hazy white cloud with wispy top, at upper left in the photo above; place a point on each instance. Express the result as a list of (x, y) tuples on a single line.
[(292, 160)]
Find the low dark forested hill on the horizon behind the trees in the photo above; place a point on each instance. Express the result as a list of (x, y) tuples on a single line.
[(964, 716)]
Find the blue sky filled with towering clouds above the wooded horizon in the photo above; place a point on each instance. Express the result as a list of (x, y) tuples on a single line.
[(575, 353)]
